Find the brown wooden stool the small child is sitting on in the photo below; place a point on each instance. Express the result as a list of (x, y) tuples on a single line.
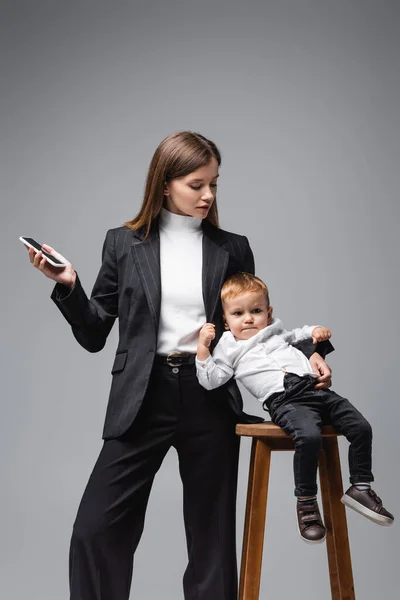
[(267, 437)]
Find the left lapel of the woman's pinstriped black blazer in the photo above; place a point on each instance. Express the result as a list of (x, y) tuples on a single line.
[(146, 254)]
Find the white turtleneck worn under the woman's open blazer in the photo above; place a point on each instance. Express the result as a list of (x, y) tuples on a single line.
[(182, 311)]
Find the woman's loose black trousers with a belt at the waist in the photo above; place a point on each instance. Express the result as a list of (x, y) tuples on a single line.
[(177, 412)]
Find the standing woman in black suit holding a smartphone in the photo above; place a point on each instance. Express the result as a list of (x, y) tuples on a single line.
[(174, 245)]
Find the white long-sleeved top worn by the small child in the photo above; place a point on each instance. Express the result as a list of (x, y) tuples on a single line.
[(259, 363)]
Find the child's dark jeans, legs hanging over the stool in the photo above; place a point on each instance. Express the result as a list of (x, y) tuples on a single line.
[(301, 410)]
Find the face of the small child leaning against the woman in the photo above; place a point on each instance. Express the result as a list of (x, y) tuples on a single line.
[(246, 314)]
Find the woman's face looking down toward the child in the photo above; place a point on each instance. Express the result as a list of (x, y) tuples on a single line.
[(193, 194)]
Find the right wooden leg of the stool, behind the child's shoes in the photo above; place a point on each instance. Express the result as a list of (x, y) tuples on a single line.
[(337, 540)]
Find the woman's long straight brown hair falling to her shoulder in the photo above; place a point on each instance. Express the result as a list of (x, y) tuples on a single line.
[(177, 155)]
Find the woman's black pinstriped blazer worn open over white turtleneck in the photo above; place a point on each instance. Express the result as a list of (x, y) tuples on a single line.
[(128, 286)]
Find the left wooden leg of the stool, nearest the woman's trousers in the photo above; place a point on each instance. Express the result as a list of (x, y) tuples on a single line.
[(253, 536)]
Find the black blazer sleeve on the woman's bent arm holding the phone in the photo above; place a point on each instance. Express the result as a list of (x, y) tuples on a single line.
[(91, 319)]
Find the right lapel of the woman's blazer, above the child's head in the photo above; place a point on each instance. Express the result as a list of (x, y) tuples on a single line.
[(215, 263)]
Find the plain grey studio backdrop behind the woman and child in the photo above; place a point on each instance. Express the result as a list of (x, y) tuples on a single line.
[(303, 99)]
